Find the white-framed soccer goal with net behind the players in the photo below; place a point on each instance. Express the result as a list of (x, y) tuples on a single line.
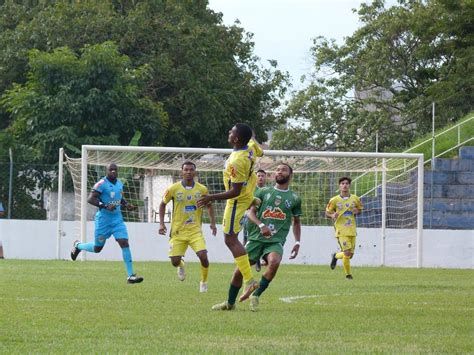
[(390, 186)]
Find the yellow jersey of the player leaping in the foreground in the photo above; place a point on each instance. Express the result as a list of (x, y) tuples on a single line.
[(239, 169)]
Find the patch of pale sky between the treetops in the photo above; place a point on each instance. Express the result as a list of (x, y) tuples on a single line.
[(283, 29)]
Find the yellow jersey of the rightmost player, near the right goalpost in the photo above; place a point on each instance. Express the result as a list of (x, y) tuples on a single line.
[(345, 224)]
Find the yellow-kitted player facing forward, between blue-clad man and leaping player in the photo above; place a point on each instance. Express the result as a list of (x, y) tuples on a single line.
[(186, 222)]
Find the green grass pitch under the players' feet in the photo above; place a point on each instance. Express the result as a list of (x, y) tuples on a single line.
[(66, 307)]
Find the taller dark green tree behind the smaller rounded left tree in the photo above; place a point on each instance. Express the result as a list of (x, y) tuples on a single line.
[(203, 73)]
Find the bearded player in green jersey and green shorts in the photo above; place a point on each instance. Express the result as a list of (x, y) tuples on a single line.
[(279, 207)]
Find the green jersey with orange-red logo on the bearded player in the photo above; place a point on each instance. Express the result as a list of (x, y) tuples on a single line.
[(277, 210)]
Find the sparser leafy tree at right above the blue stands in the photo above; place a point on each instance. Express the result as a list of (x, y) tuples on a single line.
[(385, 76)]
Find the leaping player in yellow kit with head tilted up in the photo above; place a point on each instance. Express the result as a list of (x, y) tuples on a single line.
[(239, 182)]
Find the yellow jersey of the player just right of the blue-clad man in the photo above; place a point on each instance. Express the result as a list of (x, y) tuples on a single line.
[(187, 217)]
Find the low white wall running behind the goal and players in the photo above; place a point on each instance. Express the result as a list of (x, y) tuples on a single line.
[(33, 239)]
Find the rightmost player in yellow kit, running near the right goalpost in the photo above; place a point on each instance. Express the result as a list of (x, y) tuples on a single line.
[(342, 209)]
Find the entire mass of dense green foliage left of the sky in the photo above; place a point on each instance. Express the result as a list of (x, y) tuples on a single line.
[(95, 71)]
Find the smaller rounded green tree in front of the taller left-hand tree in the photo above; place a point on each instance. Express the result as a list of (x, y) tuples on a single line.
[(92, 99)]
